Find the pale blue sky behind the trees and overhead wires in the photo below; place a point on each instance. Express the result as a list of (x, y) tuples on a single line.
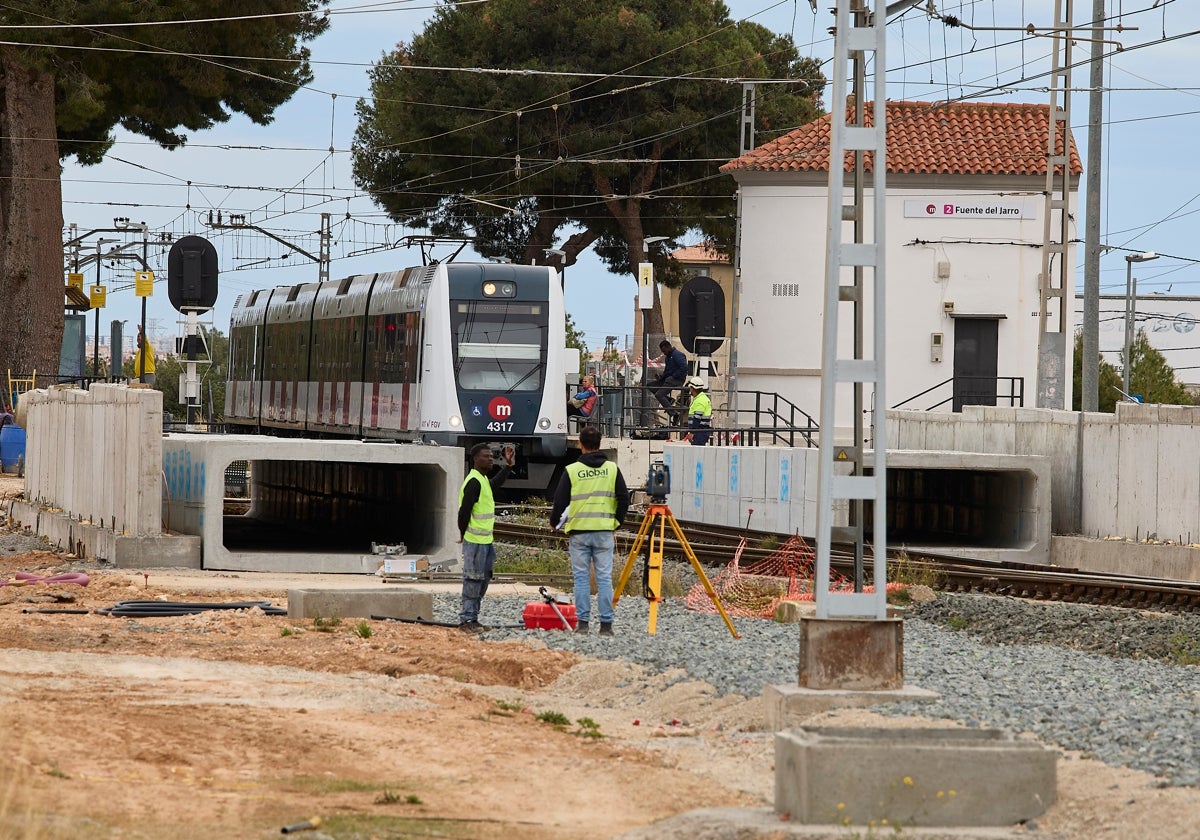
[(283, 177)]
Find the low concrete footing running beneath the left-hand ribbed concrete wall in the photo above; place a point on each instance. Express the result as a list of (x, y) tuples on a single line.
[(123, 551)]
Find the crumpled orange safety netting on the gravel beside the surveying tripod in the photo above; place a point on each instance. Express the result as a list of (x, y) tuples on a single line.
[(784, 575)]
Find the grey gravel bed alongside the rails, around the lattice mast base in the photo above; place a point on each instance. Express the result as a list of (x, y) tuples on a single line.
[(1119, 686)]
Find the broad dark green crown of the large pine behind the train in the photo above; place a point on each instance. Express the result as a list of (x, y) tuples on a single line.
[(518, 158)]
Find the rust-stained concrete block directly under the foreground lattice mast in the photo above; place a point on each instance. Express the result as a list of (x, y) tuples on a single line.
[(851, 655)]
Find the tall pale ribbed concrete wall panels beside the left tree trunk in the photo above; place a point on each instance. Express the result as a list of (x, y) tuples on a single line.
[(98, 457)]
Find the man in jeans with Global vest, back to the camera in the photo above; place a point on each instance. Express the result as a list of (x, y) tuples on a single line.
[(593, 496)]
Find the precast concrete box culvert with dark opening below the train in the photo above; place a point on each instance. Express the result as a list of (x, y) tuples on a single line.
[(313, 506)]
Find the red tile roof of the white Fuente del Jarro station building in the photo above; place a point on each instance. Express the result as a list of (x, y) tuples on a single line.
[(961, 139)]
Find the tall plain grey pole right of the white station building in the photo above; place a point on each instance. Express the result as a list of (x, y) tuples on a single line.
[(1091, 385)]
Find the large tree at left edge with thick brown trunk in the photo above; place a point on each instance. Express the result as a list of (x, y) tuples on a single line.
[(64, 91)]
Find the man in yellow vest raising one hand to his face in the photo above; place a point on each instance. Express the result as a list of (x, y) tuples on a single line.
[(477, 515)]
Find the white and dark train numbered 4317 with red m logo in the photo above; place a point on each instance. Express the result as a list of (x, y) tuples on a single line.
[(455, 355)]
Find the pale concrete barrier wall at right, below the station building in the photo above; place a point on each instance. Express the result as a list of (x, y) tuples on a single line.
[(1131, 475)]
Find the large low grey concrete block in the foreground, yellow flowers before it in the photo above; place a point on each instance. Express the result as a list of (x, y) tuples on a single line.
[(935, 777)]
